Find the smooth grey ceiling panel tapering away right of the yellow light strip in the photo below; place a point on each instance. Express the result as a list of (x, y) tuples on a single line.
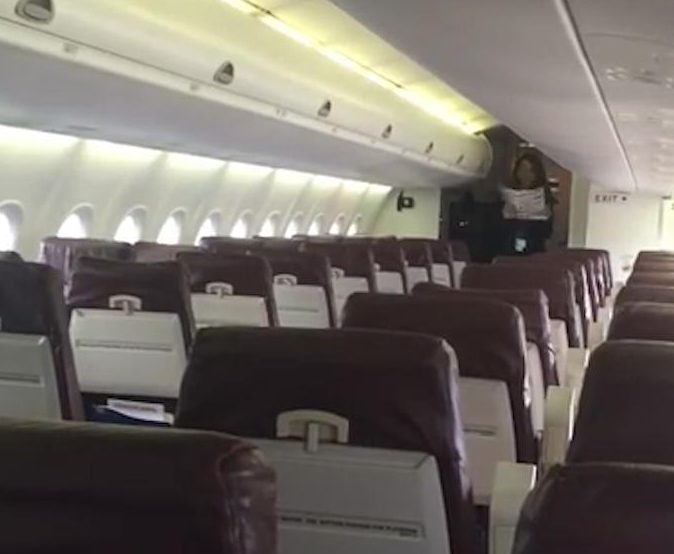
[(520, 60)]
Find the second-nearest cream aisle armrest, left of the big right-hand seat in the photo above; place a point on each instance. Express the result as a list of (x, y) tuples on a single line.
[(560, 413)]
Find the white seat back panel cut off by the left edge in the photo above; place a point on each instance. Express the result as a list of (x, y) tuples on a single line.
[(28, 388)]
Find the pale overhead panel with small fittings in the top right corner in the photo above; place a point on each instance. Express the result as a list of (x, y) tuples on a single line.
[(631, 49)]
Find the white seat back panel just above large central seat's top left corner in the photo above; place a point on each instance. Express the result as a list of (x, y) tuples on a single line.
[(214, 311)]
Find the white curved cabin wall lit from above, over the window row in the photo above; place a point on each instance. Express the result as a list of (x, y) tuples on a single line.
[(49, 176)]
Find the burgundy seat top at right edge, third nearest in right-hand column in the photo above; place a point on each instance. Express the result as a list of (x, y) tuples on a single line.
[(643, 321)]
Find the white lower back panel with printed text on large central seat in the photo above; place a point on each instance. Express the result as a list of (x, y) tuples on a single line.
[(357, 500)]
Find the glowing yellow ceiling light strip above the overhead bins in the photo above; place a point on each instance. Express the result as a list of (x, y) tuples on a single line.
[(429, 106)]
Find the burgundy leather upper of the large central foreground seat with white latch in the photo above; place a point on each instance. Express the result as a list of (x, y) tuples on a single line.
[(397, 390)]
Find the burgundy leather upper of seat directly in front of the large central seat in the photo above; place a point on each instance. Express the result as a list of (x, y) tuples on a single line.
[(487, 336)]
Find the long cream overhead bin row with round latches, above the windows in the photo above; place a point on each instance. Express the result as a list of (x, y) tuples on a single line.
[(207, 79)]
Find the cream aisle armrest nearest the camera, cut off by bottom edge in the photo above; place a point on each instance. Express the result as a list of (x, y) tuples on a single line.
[(512, 484)]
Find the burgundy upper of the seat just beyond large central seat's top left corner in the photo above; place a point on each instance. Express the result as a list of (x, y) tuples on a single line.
[(248, 275)]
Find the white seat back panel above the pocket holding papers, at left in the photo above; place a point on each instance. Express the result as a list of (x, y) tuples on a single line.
[(140, 354)]
